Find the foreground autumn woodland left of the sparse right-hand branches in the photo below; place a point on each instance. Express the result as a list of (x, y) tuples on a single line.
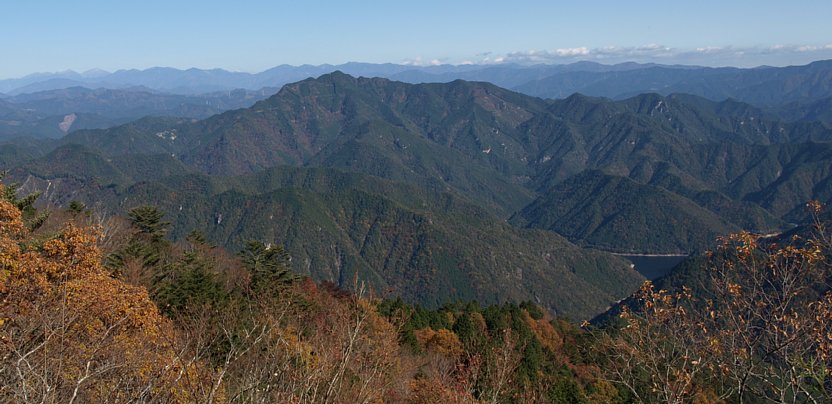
[(191, 323)]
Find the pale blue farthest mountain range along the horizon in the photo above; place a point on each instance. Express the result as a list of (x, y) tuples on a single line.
[(762, 86)]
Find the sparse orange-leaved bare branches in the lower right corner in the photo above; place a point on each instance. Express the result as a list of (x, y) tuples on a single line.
[(759, 328)]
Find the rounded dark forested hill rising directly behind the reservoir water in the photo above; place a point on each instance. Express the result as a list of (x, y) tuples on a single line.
[(619, 214)]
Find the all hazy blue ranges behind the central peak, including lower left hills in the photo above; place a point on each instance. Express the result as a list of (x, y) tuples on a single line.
[(50, 105)]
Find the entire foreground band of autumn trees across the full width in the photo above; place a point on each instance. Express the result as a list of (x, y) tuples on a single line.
[(147, 320)]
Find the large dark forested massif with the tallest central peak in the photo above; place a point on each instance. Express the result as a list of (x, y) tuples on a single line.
[(500, 149)]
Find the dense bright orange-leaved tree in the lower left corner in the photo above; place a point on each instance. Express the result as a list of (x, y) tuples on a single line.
[(71, 332)]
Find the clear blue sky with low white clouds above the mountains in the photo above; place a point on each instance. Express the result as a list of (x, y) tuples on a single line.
[(49, 36)]
